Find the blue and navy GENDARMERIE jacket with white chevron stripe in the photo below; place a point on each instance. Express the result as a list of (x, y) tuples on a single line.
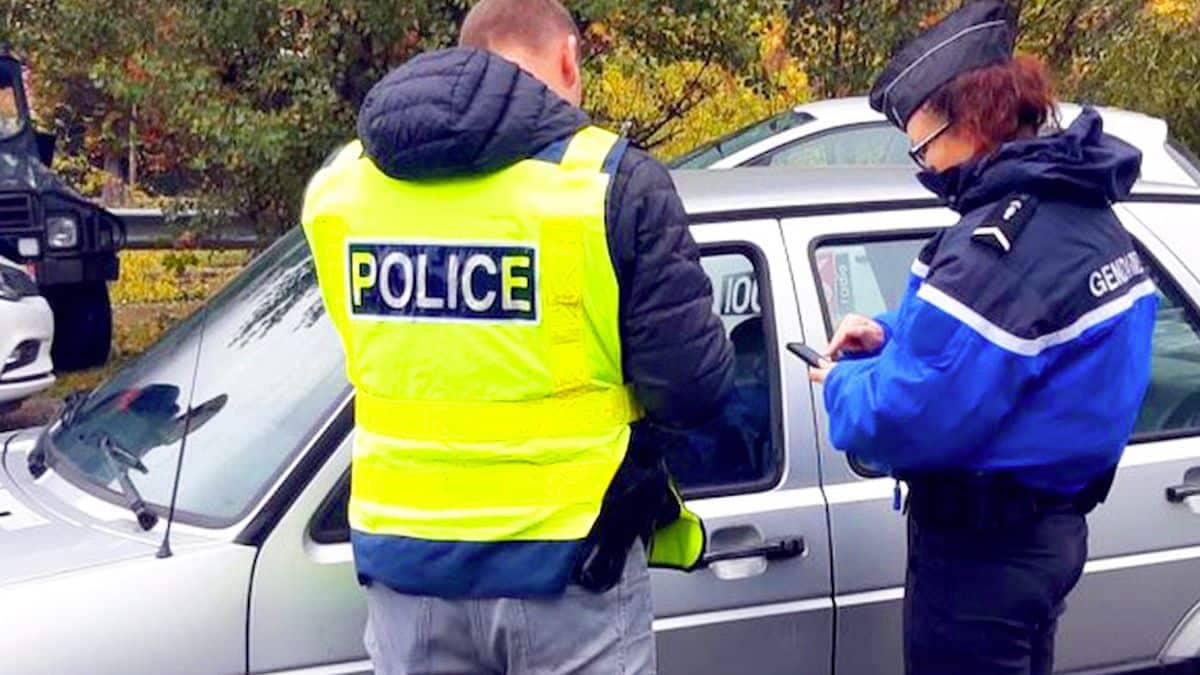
[(1028, 353)]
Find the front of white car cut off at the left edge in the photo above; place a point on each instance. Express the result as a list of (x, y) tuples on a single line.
[(27, 331)]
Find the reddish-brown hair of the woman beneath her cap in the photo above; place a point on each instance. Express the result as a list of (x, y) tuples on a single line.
[(999, 104)]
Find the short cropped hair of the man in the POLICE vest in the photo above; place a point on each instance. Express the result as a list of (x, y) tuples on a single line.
[(527, 23)]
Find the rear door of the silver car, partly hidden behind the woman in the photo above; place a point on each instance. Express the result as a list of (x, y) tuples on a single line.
[(1139, 582)]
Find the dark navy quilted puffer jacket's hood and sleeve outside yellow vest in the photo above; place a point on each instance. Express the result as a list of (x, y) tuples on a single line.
[(461, 112)]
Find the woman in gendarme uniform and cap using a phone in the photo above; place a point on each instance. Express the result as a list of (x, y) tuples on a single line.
[(1005, 387)]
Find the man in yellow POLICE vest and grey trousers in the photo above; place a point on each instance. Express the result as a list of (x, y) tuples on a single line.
[(513, 288)]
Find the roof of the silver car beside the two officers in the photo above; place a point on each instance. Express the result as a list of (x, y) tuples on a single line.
[(724, 195)]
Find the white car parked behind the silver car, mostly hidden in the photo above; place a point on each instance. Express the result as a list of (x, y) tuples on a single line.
[(847, 133)]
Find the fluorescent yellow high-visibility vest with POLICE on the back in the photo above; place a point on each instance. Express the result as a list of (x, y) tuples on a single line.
[(481, 322)]
